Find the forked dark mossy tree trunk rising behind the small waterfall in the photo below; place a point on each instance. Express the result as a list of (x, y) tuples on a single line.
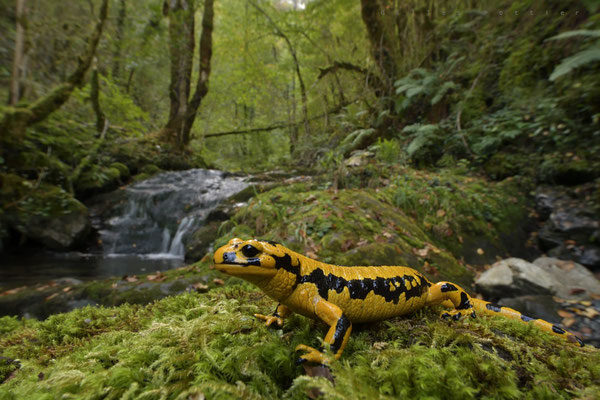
[(183, 109)]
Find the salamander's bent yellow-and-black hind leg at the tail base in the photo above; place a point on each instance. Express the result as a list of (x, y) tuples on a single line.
[(451, 295)]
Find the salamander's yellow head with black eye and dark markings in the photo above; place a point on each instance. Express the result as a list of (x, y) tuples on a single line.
[(253, 258)]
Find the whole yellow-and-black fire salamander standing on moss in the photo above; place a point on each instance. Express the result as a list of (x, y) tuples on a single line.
[(341, 296)]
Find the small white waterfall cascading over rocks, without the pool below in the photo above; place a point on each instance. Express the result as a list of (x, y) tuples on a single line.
[(157, 215)]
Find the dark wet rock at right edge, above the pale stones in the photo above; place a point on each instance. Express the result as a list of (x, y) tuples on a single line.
[(571, 223)]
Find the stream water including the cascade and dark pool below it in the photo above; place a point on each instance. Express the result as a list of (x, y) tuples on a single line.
[(144, 230)]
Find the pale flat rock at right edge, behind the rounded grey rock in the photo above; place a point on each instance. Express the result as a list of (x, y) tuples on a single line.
[(576, 281)]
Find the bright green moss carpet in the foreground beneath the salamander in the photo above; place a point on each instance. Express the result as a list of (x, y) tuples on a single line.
[(210, 345)]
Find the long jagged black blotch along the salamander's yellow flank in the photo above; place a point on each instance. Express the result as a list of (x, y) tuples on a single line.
[(360, 288)]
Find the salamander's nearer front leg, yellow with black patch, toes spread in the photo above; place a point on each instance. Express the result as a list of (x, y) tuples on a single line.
[(337, 335)]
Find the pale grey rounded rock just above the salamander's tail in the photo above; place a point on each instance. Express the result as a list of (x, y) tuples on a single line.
[(515, 277)]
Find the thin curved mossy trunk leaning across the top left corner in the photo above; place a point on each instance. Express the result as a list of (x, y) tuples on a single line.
[(16, 119)]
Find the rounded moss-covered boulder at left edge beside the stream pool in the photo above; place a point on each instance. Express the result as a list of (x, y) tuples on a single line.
[(43, 213)]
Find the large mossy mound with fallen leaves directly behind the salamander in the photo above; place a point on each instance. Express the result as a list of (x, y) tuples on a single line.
[(347, 227)]
